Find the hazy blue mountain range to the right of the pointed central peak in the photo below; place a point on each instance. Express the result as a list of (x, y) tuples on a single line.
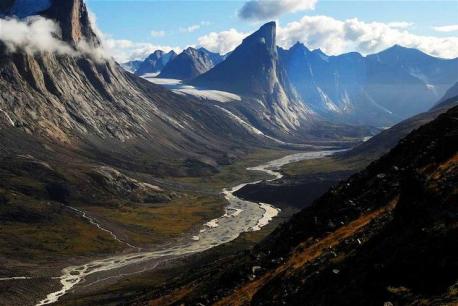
[(366, 90)]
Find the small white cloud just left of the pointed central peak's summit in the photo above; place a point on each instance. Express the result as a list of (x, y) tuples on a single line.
[(222, 42)]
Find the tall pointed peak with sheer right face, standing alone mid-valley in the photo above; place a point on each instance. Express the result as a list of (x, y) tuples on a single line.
[(253, 71)]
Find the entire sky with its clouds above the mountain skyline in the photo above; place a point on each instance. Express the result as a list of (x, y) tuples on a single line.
[(132, 29)]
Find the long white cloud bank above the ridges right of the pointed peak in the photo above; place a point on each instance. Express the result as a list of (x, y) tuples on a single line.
[(338, 36)]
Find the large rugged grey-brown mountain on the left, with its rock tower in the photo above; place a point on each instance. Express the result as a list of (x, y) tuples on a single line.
[(75, 112)]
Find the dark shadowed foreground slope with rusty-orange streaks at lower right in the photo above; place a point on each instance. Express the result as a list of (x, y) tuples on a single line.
[(387, 234)]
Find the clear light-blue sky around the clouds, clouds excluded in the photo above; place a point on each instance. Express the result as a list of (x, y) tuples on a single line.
[(179, 24)]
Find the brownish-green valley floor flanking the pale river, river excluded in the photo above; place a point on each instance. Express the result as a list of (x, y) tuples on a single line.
[(120, 229)]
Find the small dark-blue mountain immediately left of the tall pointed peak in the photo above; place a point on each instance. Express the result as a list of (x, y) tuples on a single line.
[(190, 64)]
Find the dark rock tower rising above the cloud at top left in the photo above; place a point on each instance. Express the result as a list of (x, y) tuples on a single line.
[(73, 18)]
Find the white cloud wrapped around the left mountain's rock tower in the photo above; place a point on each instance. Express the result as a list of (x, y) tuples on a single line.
[(34, 34)]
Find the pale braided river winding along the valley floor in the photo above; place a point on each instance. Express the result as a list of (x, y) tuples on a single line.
[(240, 216)]
